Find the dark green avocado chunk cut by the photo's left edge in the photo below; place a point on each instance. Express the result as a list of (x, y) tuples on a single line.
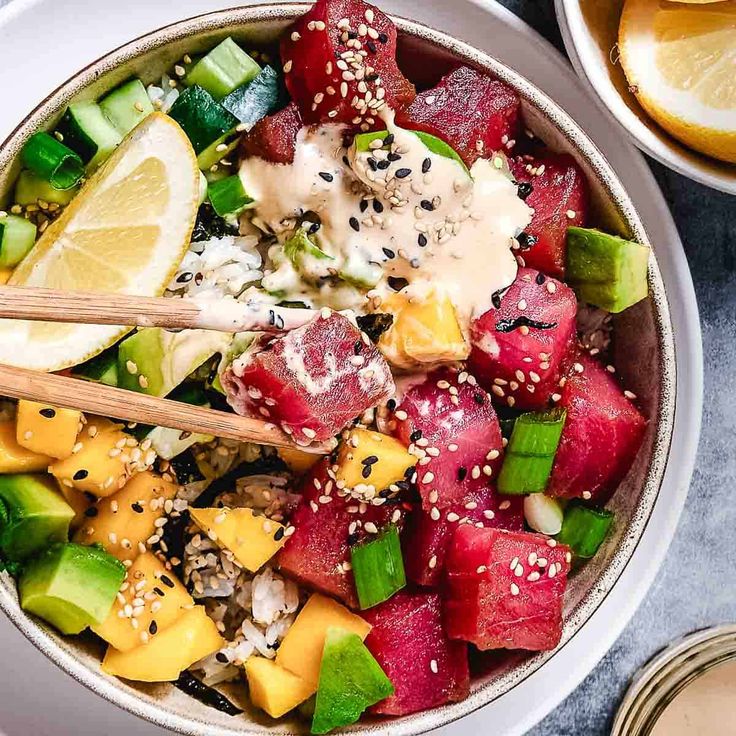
[(34, 515)]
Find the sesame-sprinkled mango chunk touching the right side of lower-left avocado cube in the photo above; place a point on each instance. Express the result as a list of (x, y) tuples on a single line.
[(162, 597)]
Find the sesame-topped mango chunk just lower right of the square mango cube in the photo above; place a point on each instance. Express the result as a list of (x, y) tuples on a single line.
[(102, 464)]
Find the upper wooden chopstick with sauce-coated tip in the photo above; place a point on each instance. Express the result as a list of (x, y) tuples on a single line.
[(77, 307)]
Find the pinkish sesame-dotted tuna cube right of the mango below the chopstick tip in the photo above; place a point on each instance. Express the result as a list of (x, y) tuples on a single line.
[(455, 424)]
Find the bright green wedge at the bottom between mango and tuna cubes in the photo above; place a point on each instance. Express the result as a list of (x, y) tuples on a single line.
[(350, 680)]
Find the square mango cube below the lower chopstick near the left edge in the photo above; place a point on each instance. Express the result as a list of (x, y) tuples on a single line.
[(47, 430)]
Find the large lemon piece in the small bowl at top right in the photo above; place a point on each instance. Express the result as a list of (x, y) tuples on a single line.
[(680, 60)]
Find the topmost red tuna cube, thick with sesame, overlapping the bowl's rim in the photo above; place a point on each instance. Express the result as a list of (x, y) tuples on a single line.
[(321, 53)]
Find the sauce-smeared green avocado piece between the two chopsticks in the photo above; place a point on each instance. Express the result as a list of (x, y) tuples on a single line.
[(154, 361)]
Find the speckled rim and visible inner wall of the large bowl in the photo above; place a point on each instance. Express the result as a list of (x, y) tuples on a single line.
[(643, 346)]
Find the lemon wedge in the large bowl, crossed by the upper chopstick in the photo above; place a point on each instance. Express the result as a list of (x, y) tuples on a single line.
[(125, 232)]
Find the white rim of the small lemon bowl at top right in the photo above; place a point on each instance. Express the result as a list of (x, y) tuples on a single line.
[(655, 141)]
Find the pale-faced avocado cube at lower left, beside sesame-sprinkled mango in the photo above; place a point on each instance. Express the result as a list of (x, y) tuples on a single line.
[(71, 586)]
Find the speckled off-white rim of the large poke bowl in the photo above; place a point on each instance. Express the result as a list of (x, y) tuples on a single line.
[(61, 652)]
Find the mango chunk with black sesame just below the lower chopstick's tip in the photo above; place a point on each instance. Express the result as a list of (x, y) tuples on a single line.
[(388, 460)]
